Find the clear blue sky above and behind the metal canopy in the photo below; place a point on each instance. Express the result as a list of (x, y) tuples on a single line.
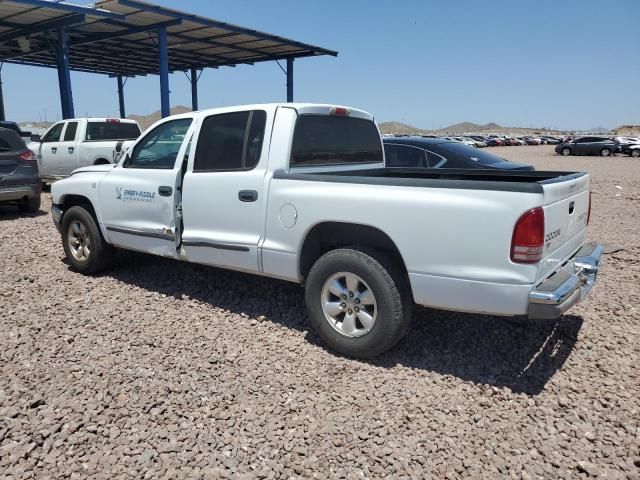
[(564, 63)]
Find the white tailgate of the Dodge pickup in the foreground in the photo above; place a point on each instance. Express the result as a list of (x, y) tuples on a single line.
[(566, 211)]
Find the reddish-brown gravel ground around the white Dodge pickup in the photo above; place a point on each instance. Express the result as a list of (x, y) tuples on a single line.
[(166, 370)]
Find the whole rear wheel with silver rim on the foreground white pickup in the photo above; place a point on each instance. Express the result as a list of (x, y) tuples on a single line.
[(358, 302)]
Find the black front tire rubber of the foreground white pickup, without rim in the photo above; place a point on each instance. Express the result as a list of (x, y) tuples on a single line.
[(102, 254)]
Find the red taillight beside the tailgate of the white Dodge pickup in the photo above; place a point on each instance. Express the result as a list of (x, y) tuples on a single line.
[(527, 242)]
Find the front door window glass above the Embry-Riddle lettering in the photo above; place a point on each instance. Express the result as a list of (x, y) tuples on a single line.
[(160, 147)]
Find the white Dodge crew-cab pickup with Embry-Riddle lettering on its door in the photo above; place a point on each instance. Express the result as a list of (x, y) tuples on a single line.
[(300, 192)]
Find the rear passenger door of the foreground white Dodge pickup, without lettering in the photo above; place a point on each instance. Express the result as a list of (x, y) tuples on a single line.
[(224, 198)]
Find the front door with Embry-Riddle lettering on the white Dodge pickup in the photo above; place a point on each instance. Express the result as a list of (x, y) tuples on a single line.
[(140, 197)]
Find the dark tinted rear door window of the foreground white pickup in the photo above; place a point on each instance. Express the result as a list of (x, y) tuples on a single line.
[(230, 141)]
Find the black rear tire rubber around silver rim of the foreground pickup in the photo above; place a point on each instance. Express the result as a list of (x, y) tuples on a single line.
[(393, 301)]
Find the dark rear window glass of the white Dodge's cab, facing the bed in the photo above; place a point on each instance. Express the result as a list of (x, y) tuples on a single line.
[(333, 140)]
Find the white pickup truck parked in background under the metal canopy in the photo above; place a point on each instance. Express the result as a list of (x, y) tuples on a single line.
[(81, 142)]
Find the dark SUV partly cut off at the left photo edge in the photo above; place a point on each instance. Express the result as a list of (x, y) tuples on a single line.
[(20, 181)]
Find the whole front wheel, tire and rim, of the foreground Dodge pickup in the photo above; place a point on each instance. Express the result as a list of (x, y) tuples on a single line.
[(83, 244)]
